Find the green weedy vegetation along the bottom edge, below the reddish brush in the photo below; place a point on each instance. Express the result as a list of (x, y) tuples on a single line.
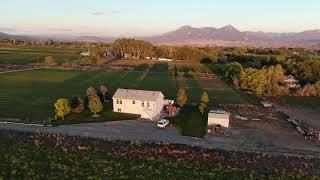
[(25, 161)]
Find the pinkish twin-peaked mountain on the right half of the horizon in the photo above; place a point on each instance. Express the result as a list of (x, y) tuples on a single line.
[(230, 36)]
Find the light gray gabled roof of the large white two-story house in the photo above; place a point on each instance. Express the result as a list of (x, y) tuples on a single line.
[(140, 95)]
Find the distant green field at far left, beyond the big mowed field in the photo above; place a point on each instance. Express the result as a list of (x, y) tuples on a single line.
[(35, 55)]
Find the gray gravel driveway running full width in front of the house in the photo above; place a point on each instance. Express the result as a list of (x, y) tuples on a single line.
[(146, 131)]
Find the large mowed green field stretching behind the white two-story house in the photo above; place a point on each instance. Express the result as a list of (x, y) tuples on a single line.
[(32, 93)]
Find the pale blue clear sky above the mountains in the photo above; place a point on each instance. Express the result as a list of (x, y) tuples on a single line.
[(148, 17)]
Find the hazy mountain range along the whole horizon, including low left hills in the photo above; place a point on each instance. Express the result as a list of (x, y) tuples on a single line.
[(187, 35)]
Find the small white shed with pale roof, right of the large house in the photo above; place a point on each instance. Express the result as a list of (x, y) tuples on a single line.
[(218, 117)]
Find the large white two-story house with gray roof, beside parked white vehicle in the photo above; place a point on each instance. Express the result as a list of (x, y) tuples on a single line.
[(148, 104)]
